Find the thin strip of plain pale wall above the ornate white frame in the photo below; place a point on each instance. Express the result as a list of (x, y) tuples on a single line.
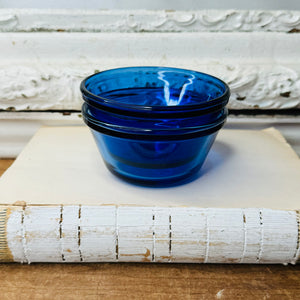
[(155, 4)]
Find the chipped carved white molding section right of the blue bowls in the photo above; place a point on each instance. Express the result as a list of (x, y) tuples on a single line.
[(263, 87)]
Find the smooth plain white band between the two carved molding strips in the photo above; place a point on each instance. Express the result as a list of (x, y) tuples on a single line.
[(83, 47)]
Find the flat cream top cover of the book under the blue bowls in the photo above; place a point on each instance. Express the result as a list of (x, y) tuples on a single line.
[(243, 169)]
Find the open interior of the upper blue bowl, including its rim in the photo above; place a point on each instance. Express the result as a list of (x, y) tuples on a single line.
[(154, 89)]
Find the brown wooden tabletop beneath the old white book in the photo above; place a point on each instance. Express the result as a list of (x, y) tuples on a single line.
[(142, 281)]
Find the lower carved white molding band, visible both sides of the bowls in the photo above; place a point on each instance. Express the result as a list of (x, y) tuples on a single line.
[(45, 87)]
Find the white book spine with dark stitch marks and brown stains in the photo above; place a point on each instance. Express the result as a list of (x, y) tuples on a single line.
[(110, 233)]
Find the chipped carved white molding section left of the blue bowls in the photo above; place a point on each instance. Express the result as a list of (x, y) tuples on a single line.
[(40, 87)]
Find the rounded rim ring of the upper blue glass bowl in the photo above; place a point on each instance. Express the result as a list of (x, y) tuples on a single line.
[(90, 97)]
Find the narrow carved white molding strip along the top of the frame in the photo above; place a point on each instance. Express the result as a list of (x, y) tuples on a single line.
[(149, 21)]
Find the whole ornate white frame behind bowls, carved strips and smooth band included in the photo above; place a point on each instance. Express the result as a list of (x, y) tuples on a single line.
[(247, 49)]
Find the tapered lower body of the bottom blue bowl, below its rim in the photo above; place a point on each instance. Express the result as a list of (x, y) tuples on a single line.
[(154, 163)]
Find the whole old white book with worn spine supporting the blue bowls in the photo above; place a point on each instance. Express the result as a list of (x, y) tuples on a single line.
[(59, 203)]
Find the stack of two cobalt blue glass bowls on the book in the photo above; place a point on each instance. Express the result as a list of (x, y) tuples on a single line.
[(154, 125)]
